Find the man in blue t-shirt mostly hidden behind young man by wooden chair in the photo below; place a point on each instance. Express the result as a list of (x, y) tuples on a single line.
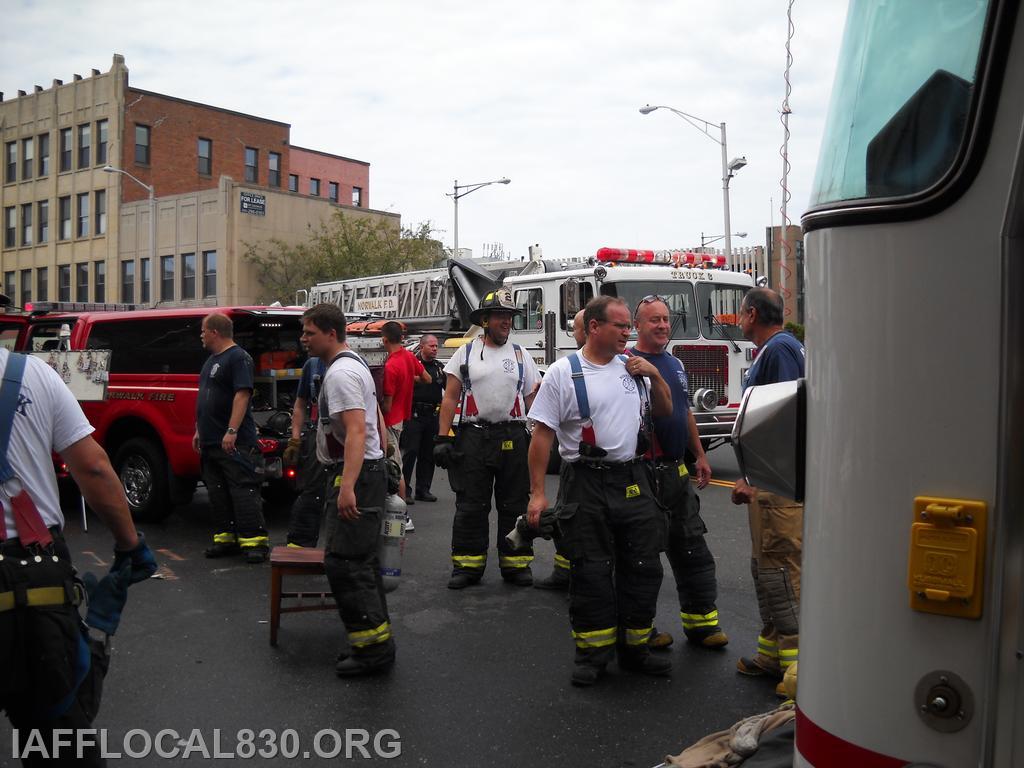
[(305, 521)]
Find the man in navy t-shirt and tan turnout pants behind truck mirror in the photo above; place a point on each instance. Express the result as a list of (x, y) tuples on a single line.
[(777, 523)]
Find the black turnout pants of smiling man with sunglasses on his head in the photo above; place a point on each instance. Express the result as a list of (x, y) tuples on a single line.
[(693, 564)]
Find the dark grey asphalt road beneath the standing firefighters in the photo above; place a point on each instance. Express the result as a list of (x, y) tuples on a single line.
[(482, 678)]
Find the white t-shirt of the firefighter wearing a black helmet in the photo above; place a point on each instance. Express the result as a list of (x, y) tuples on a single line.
[(494, 380)]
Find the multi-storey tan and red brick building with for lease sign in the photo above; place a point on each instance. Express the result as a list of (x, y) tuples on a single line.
[(221, 181)]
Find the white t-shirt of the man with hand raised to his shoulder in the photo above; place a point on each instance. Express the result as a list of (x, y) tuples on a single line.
[(615, 408)]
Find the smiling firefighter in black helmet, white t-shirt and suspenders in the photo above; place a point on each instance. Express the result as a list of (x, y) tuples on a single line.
[(495, 381)]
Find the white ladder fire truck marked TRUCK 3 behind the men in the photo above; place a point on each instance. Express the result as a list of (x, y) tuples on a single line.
[(702, 294)]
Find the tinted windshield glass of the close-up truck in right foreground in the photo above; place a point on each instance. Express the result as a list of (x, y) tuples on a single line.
[(902, 98)]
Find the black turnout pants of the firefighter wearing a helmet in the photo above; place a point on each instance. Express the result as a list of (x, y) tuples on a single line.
[(493, 462)]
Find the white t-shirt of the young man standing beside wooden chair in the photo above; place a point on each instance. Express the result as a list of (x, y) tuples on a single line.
[(348, 386)]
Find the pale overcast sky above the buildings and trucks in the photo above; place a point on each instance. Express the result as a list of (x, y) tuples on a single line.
[(544, 93)]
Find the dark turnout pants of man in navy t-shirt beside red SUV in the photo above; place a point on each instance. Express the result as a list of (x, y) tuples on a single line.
[(234, 482)]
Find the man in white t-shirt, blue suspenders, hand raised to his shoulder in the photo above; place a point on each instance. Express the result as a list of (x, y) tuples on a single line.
[(600, 404)]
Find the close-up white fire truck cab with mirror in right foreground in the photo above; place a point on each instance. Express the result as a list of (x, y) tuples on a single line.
[(907, 439)]
